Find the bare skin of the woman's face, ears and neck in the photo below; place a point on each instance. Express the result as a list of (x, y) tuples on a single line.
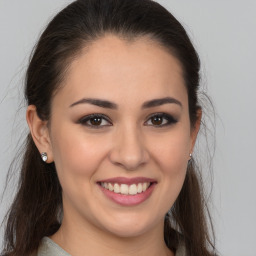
[(129, 145)]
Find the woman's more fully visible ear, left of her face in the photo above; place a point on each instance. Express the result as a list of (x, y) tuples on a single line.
[(39, 132)]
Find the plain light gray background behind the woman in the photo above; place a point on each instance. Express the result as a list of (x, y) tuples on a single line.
[(224, 32)]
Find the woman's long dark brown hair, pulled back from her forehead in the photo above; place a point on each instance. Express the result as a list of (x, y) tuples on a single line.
[(37, 207)]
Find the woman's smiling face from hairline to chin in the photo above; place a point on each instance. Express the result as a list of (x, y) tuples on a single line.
[(121, 137)]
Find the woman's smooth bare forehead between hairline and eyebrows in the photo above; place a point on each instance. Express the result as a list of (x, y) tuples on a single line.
[(115, 69)]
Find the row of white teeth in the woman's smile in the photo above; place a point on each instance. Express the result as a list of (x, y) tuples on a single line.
[(125, 189)]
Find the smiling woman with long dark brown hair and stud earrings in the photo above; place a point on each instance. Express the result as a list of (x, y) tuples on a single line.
[(113, 114)]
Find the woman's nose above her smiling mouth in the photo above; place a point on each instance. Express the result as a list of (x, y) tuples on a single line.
[(129, 149)]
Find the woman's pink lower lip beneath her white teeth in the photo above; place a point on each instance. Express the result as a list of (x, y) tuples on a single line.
[(128, 200)]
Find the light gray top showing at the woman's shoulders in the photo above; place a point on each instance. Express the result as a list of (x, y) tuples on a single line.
[(50, 248)]
